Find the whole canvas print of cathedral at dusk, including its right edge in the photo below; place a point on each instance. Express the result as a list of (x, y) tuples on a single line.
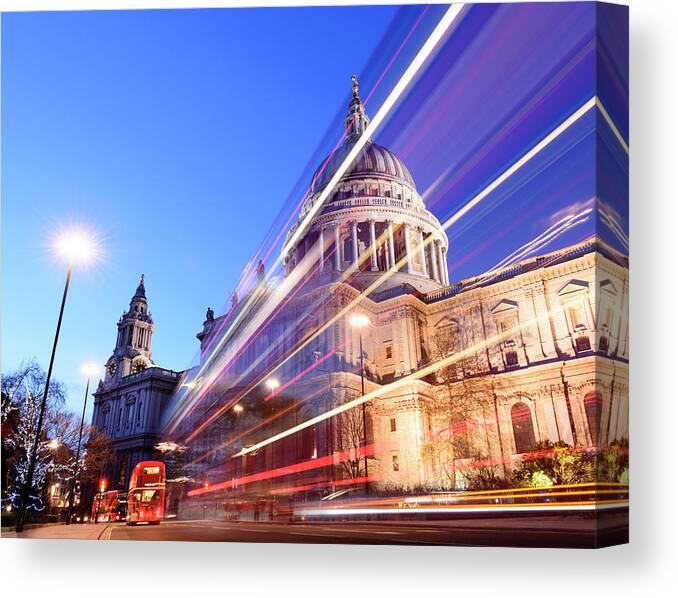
[(318, 274)]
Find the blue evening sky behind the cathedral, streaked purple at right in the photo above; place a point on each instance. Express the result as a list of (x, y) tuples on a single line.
[(186, 139)]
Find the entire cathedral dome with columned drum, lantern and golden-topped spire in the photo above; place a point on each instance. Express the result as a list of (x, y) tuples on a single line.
[(372, 224)]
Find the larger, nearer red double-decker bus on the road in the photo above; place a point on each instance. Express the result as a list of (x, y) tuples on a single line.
[(146, 496)]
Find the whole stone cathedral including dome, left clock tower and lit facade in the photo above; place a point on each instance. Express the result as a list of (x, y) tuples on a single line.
[(458, 375)]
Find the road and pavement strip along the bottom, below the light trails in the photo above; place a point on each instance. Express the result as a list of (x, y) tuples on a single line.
[(573, 532)]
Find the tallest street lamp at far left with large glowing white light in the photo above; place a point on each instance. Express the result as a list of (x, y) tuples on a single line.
[(77, 248)]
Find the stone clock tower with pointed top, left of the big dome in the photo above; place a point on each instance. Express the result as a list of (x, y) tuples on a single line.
[(132, 353)]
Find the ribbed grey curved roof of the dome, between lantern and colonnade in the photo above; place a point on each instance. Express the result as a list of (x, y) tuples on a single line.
[(373, 160)]
